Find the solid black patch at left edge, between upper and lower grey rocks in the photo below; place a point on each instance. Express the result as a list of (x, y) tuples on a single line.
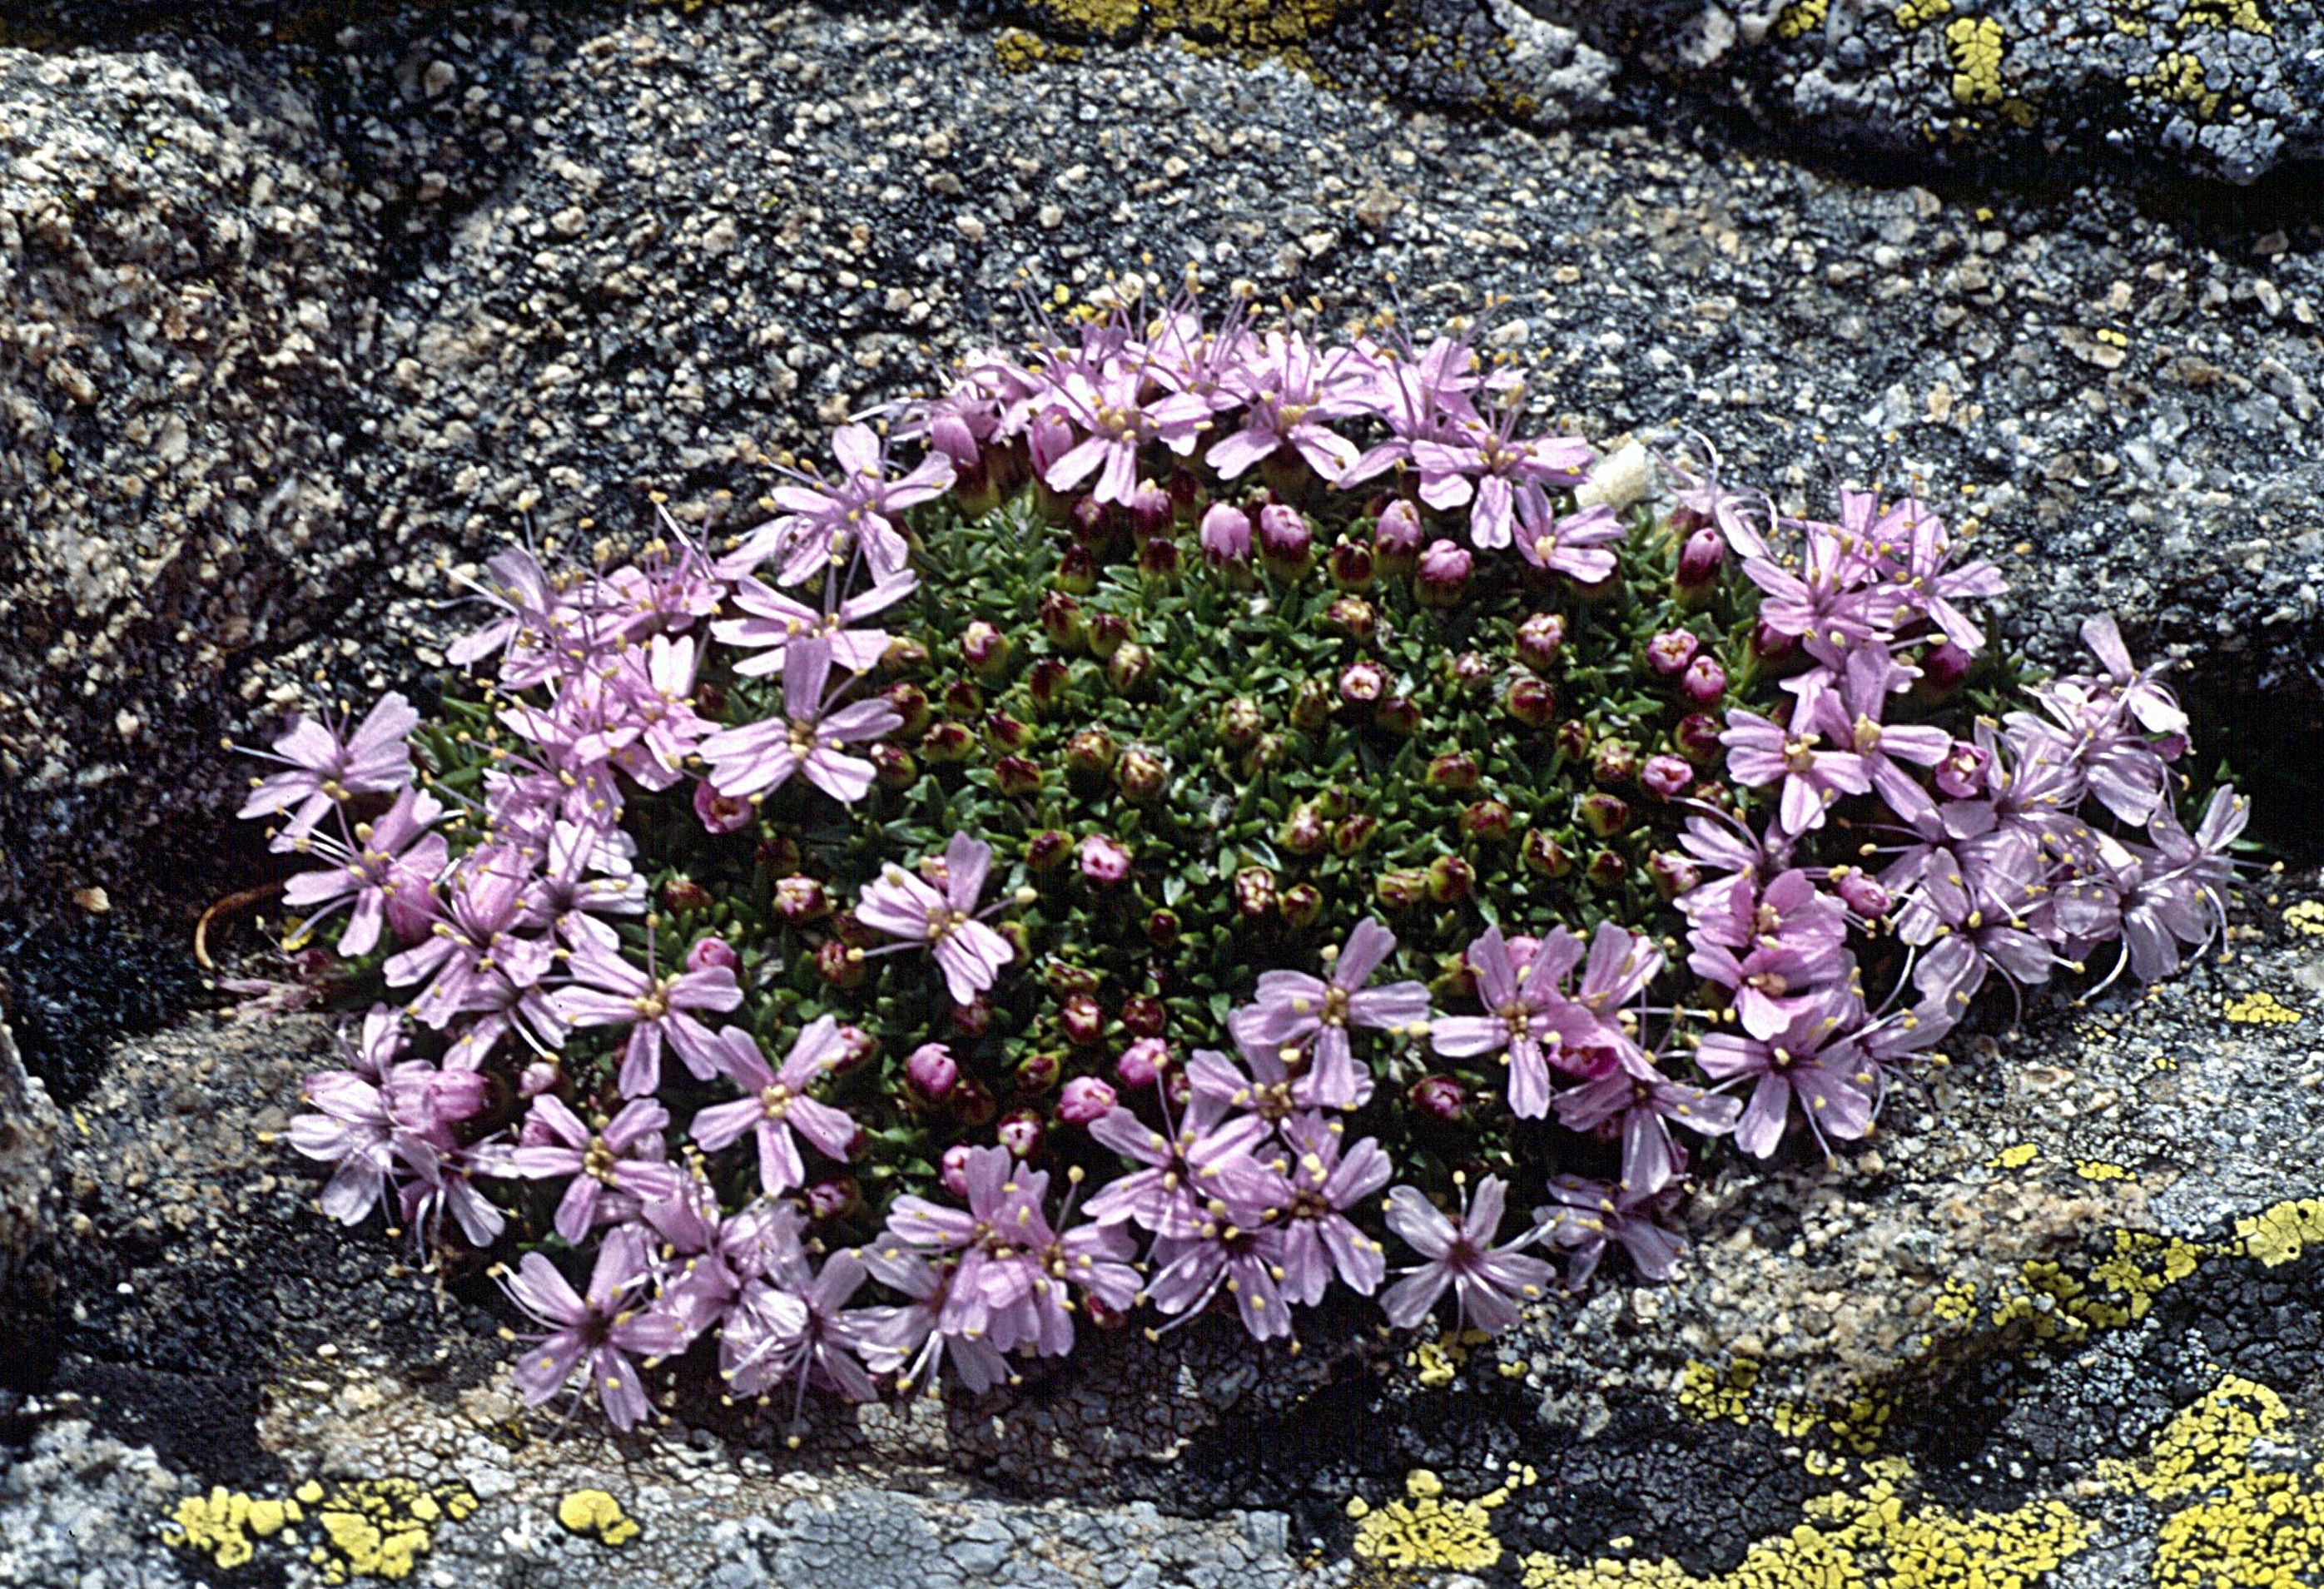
[(73, 988)]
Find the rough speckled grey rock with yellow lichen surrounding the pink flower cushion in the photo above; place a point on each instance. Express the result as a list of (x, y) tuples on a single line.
[(587, 257)]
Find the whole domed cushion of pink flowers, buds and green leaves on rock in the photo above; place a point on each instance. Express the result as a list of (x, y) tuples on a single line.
[(1221, 777)]
